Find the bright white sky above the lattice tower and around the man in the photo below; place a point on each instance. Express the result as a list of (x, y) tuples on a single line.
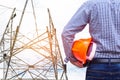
[(61, 12)]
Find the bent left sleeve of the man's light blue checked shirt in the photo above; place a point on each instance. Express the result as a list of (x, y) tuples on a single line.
[(76, 24)]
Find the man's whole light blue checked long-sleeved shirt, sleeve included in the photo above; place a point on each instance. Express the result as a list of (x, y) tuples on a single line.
[(103, 17)]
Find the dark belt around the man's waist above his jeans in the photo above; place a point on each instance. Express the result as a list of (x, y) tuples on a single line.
[(105, 60)]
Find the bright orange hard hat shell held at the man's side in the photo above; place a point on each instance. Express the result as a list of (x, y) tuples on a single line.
[(80, 49)]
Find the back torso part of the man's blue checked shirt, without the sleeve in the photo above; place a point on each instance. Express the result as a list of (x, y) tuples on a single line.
[(105, 26)]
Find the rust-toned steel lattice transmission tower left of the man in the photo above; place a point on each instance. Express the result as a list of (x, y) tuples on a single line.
[(25, 58)]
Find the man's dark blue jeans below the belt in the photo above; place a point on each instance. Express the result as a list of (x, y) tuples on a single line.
[(103, 71)]
